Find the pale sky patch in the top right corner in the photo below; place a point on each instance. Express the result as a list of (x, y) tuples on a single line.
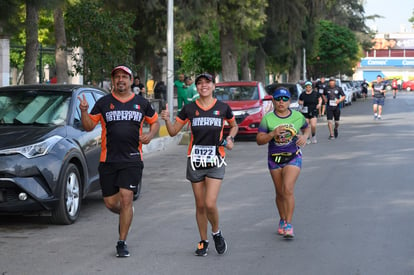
[(395, 13)]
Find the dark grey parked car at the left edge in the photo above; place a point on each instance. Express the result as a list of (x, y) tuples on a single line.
[(48, 163)]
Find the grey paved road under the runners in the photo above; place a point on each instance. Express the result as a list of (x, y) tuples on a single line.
[(354, 212)]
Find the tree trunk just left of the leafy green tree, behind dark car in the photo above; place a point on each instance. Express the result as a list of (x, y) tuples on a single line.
[(60, 54)]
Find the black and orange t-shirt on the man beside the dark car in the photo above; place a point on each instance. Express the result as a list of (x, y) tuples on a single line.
[(121, 126)]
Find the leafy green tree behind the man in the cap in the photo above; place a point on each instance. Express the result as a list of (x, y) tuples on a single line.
[(106, 38)]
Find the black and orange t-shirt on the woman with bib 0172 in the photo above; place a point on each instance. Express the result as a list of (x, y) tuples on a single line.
[(206, 123)]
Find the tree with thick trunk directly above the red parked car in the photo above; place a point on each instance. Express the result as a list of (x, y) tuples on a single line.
[(238, 23)]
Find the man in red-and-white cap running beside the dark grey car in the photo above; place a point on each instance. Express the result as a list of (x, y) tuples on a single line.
[(121, 114)]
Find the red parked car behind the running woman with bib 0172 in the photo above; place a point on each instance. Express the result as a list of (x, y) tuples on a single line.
[(246, 98)]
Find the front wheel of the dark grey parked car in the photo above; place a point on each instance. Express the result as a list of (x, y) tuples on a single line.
[(70, 196)]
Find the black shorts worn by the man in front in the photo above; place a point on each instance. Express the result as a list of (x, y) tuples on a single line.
[(113, 176)]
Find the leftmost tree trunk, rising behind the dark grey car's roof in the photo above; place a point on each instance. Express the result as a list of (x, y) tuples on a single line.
[(32, 44)]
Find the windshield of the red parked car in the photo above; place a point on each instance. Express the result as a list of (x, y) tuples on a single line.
[(236, 93)]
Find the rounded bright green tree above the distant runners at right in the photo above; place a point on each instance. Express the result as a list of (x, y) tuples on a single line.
[(338, 49)]
